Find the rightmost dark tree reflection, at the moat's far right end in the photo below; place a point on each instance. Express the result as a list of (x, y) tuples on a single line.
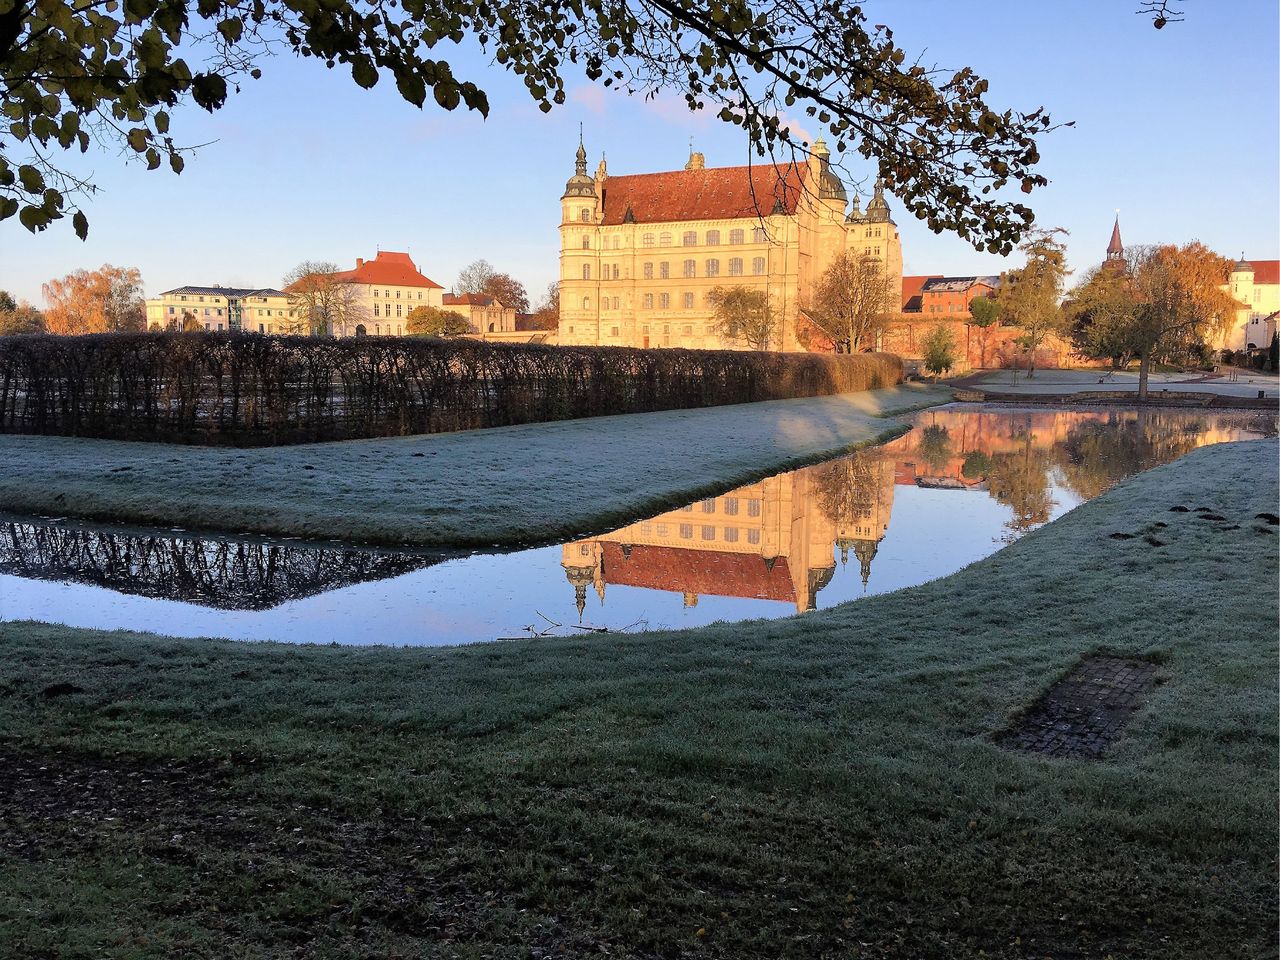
[(1099, 455)]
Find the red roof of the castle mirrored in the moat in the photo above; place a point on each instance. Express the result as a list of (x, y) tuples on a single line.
[(694, 572)]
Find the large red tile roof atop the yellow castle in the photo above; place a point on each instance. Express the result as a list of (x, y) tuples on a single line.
[(710, 194)]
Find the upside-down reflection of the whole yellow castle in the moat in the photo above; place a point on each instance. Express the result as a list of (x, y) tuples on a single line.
[(774, 541)]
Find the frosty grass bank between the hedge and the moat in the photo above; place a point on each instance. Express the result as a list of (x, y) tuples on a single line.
[(508, 486)]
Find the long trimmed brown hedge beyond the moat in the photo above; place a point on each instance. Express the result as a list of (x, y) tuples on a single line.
[(246, 390)]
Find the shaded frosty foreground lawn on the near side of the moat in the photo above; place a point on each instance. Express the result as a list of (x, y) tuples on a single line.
[(822, 787)]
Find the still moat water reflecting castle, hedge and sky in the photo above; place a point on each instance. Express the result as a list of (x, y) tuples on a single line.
[(961, 486)]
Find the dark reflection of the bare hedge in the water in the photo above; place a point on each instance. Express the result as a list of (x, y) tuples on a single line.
[(221, 574)]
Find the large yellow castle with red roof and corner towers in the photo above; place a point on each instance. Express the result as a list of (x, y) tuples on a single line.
[(639, 254)]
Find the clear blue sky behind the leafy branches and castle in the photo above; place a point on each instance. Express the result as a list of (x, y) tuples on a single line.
[(1177, 129)]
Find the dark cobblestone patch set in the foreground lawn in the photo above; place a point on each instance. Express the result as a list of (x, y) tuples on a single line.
[(1085, 712)]
